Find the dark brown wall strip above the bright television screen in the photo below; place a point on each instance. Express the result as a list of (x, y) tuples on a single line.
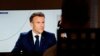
[(30, 4)]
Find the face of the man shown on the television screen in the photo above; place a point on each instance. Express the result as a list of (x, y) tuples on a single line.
[(38, 24)]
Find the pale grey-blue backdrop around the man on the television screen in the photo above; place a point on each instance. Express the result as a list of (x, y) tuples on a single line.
[(13, 22)]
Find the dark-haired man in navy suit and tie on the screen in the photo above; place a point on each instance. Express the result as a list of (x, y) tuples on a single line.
[(35, 41)]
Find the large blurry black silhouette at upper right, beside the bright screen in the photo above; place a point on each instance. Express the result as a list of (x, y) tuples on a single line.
[(75, 14)]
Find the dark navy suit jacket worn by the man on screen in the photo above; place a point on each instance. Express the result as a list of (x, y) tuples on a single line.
[(25, 43)]
